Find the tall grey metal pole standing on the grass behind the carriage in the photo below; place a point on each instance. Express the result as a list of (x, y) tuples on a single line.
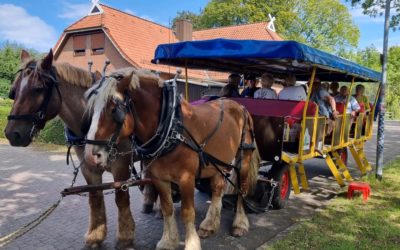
[(381, 122)]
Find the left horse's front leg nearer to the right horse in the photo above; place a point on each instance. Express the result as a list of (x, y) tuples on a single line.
[(126, 224)]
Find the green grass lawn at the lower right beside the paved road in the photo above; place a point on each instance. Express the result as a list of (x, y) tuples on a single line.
[(353, 224)]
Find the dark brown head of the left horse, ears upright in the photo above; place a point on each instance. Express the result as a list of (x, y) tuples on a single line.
[(34, 91)]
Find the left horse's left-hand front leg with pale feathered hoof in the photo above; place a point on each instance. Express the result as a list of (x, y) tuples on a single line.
[(97, 221)]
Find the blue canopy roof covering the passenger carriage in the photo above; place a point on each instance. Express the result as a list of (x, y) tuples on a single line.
[(254, 56)]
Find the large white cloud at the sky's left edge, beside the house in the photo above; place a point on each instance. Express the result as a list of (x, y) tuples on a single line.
[(19, 26)]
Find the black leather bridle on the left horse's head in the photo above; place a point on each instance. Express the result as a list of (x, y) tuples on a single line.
[(38, 118)]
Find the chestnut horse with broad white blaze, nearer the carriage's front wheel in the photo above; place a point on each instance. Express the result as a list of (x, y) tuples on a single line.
[(130, 103)]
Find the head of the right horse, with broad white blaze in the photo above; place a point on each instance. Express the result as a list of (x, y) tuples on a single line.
[(111, 114)]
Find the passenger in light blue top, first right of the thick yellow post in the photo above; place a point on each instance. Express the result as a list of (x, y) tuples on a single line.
[(326, 104)]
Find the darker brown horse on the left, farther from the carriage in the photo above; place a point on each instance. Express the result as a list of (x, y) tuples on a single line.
[(42, 90)]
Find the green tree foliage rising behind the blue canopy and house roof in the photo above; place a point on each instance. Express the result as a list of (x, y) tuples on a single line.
[(324, 24)]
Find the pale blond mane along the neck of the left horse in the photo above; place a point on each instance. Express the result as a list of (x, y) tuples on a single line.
[(73, 75)]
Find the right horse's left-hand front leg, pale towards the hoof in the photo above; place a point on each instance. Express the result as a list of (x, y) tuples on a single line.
[(170, 237)]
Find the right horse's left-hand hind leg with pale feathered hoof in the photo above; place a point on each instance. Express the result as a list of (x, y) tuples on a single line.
[(213, 218)]
